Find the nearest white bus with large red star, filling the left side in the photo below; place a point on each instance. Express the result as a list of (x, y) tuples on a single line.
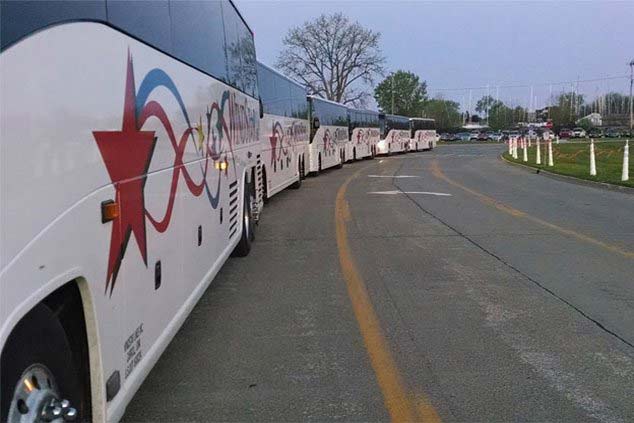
[(129, 150)]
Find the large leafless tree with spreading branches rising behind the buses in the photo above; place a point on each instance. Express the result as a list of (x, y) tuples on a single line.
[(333, 57)]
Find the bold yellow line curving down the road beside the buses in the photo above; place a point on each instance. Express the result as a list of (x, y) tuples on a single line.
[(401, 405)]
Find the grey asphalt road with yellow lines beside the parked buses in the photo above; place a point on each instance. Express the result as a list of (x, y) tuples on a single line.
[(510, 299)]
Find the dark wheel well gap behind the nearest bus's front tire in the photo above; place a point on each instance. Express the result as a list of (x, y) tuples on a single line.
[(66, 304)]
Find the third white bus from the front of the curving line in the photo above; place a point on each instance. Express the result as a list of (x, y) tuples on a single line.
[(328, 134)]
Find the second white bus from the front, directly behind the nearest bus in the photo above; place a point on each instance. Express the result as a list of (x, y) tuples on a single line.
[(283, 131)]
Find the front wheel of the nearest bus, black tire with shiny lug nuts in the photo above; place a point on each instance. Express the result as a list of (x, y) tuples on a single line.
[(38, 373)]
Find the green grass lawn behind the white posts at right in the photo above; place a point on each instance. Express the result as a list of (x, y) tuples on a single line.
[(573, 159)]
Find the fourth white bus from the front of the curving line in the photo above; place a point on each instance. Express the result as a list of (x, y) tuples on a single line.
[(364, 133)]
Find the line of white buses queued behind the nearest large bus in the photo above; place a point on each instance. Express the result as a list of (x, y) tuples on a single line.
[(302, 134)]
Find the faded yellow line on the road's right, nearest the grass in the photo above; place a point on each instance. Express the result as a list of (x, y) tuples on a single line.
[(490, 201)]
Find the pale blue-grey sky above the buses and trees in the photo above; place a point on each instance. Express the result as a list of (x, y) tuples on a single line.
[(475, 44)]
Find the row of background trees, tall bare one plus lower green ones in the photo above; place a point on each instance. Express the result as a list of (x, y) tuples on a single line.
[(340, 60)]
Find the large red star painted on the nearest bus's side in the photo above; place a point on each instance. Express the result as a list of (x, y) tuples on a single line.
[(126, 154)]
